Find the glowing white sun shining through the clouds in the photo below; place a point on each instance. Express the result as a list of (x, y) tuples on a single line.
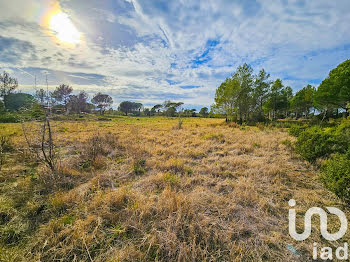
[(64, 29)]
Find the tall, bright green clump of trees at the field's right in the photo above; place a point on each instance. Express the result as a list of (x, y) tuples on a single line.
[(245, 97)]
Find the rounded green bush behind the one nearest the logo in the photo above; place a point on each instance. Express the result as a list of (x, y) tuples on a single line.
[(314, 143)]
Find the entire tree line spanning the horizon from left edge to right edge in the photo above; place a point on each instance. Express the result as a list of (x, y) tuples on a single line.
[(243, 97)]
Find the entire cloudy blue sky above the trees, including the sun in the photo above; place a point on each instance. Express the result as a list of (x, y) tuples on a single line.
[(150, 51)]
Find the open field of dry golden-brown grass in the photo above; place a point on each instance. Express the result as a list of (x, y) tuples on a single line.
[(154, 189)]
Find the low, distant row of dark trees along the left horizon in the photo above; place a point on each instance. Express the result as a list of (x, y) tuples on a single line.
[(63, 101)]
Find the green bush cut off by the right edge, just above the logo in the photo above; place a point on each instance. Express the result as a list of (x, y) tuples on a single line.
[(335, 173)]
